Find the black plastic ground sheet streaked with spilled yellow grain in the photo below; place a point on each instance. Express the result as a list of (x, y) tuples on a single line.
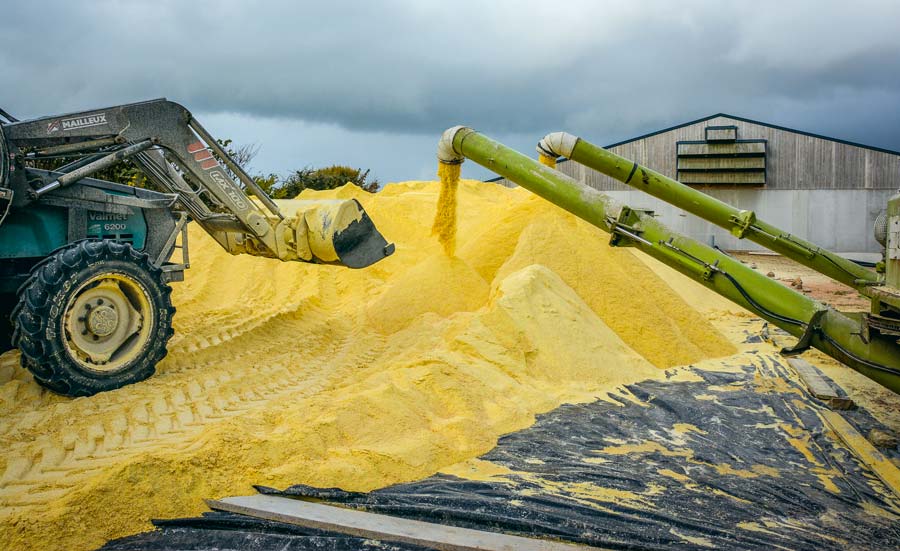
[(738, 460)]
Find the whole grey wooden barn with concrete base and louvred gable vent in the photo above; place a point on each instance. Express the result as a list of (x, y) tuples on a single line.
[(823, 189)]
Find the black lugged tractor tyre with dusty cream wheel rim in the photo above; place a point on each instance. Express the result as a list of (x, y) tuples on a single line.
[(93, 316)]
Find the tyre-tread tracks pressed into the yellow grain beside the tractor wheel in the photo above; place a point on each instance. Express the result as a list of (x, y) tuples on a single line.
[(289, 355)]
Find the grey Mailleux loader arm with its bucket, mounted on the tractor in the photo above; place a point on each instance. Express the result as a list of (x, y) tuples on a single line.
[(180, 157)]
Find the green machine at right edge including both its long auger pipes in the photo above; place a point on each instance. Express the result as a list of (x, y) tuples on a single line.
[(867, 342)]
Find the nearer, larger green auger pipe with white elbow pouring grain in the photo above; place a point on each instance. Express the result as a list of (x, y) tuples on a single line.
[(813, 323)]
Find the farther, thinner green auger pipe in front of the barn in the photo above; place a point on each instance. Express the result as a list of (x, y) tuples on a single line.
[(743, 224)]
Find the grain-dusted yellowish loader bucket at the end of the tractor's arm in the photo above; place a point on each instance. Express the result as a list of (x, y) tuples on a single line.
[(336, 232)]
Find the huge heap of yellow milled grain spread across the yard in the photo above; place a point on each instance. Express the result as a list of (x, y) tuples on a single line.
[(285, 373)]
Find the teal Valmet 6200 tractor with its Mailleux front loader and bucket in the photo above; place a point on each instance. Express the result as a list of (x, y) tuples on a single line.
[(86, 263)]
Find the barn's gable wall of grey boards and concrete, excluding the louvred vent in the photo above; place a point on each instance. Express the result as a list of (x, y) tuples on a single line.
[(813, 185)]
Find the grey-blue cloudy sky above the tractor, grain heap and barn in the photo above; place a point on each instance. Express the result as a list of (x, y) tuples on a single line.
[(373, 84)]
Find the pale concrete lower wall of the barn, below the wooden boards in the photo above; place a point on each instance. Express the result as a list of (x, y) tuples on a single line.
[(837, 220)]
